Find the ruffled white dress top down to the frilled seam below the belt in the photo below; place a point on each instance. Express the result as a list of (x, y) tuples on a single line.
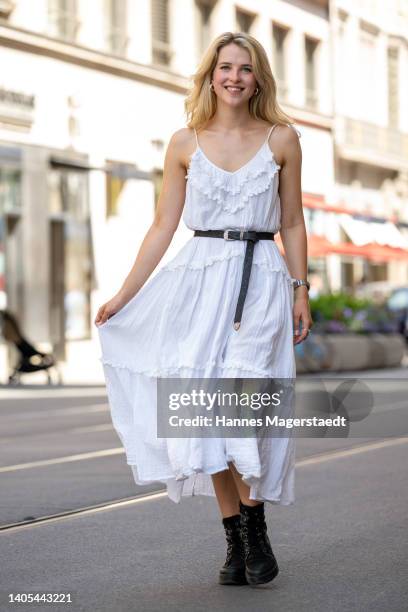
[(245, 199)]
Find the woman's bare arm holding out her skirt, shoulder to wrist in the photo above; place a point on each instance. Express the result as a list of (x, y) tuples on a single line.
[(166, 220)]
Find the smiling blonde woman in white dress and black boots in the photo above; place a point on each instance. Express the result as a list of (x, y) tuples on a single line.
[(226, 306)]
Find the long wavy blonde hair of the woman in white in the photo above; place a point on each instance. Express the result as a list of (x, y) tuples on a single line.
[(201, 103)]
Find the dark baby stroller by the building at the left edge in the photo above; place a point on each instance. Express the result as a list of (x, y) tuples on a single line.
[(31, 360)]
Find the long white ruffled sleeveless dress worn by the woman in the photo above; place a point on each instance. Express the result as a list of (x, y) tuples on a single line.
[(180, 324)]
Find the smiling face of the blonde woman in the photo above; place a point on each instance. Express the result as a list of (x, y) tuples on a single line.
[(233, 79)]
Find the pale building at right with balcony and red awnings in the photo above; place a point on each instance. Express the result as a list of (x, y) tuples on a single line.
[(369, 237)]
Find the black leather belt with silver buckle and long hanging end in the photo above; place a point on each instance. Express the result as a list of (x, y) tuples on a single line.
[(251, 237)]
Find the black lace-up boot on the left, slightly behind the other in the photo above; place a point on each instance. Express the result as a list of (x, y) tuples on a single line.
[(233, 570)]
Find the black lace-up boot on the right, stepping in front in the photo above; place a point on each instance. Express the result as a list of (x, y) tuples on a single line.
[(260, 563)]
